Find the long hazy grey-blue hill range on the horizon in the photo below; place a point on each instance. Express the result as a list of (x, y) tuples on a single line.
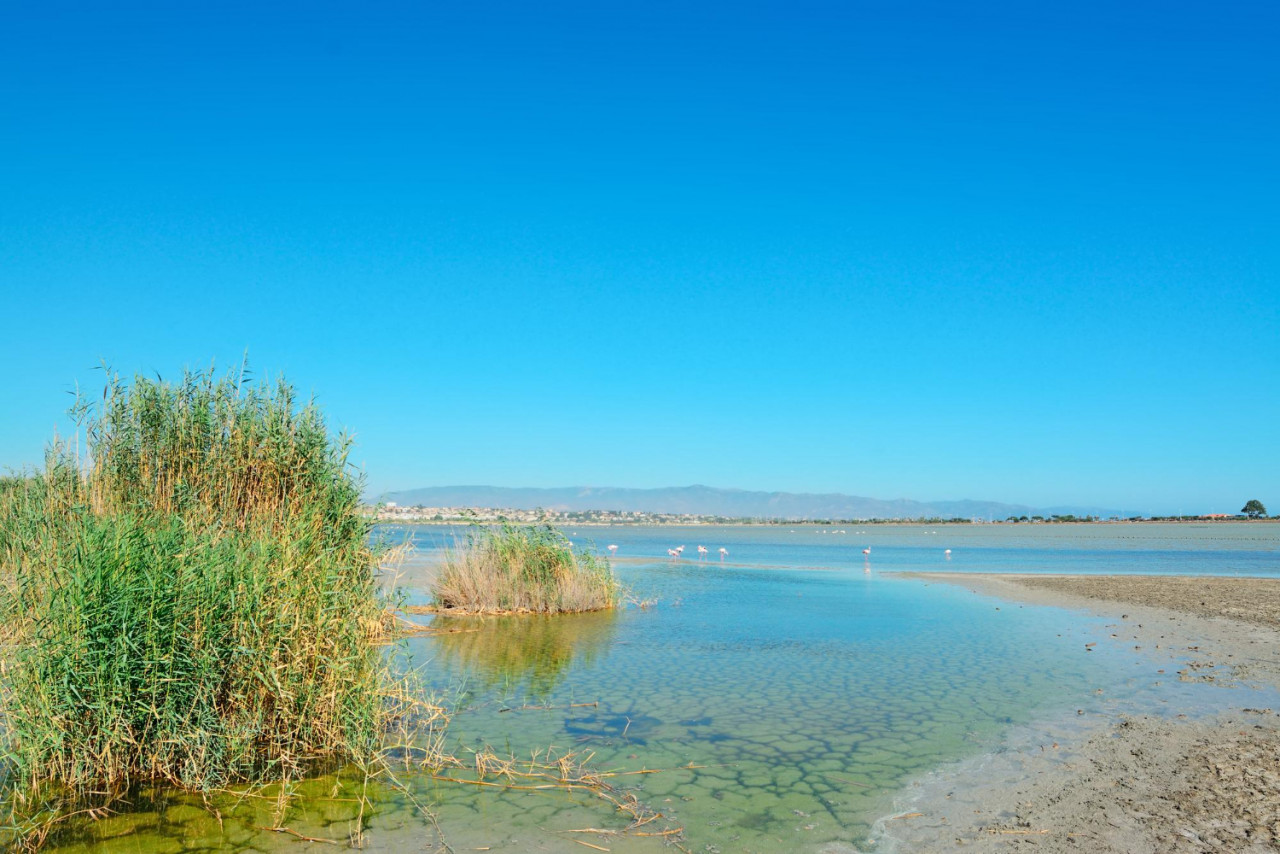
[(708, 501)]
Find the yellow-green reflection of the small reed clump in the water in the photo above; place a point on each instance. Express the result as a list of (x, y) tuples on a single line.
[(531, 651)]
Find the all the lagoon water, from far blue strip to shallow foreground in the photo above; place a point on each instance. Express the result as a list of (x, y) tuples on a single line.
[(784, 695)]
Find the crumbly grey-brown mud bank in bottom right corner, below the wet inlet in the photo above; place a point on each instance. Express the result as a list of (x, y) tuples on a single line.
[(1141, 786)]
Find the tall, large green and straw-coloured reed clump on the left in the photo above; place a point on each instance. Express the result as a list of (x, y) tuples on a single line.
[(190, 597)]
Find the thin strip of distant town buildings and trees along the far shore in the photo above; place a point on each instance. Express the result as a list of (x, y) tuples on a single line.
[(423, 515)]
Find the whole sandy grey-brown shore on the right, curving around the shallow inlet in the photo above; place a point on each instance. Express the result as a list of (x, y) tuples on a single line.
[(1130, 784)]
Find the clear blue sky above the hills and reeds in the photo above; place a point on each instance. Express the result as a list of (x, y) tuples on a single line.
[(1016, 252)]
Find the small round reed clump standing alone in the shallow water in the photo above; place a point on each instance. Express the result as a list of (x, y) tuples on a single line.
[(524, 570)]
